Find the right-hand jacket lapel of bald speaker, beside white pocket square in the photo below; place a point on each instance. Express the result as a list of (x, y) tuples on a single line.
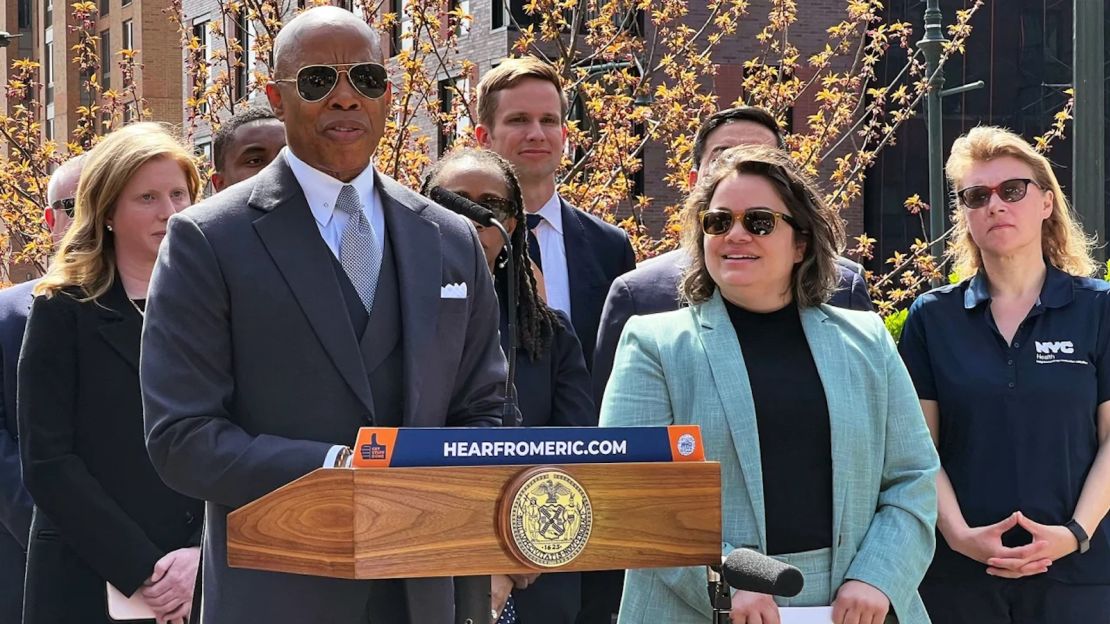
[(418, 254)]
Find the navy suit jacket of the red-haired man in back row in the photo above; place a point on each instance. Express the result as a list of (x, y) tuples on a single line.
[(597, 254)]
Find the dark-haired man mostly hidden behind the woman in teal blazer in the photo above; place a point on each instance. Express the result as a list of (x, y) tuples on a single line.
[(653, 287)]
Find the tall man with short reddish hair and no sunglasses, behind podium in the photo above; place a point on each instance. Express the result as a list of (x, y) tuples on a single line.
[(522, 112)]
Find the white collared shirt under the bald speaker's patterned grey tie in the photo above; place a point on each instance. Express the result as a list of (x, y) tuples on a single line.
[(321, 192)]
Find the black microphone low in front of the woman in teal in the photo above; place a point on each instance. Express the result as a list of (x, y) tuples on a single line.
[(749, 571)]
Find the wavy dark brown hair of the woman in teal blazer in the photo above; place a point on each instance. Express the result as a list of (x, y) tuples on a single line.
[(815, 278)]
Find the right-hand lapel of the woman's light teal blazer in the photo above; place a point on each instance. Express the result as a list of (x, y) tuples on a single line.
[(828, 346)]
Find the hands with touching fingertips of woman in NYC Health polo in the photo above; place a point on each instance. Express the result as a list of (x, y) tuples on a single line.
[(985, 546)]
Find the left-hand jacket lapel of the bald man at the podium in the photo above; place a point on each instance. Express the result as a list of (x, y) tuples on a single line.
[(292, 238)]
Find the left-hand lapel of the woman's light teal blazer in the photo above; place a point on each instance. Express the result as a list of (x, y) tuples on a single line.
[(731, 378)]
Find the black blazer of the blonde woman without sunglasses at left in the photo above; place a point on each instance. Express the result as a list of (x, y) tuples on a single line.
[(102, 511)]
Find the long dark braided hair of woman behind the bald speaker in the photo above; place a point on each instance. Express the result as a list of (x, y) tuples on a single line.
[(536, 320)]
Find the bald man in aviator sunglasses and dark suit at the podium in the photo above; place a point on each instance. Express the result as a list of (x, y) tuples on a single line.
[(314, 299)]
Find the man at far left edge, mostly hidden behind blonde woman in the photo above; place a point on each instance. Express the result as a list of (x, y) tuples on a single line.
[(15, 304)]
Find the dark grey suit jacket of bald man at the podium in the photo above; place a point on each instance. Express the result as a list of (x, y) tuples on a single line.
[(251, 373)]
